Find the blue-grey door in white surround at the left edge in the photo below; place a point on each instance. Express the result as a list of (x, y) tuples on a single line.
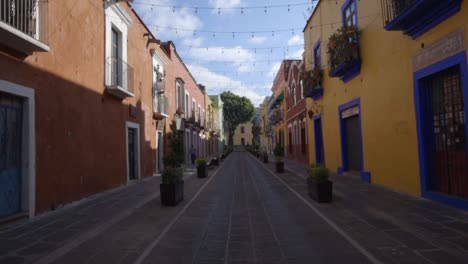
[(10, 154)]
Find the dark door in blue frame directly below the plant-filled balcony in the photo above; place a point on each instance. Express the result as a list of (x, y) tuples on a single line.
[(353, 143)]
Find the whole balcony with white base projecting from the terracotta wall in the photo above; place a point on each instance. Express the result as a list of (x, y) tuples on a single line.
[(119, 81)]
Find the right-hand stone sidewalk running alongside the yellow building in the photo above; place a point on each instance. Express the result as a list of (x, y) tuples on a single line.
[(393, 226)]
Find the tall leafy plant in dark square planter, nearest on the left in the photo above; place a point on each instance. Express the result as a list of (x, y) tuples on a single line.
[(172, 186)]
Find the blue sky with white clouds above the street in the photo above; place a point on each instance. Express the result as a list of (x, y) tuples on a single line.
[(226, 44)]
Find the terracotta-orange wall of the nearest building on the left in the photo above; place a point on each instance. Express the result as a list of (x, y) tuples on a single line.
[(80, 129)]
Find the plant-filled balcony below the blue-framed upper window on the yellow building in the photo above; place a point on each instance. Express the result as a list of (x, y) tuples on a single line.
[(344, 54)]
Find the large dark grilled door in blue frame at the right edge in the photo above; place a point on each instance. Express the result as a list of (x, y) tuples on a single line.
[(447, 155)]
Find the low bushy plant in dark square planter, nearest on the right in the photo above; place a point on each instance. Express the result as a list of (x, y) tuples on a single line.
[(318, 184)]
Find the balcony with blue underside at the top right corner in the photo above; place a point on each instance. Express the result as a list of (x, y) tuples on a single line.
[(416, 17)]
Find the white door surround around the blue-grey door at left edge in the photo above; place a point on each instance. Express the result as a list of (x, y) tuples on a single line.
[(28, 151)]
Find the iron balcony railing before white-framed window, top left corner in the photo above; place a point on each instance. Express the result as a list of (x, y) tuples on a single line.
[(27, 16)]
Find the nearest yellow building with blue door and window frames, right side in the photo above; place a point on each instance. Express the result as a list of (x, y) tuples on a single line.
[(394, 87)]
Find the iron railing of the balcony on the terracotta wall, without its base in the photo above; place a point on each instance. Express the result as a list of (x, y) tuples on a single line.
[(120, 74)]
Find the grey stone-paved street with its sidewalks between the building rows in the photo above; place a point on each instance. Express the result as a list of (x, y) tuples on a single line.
[(242, 213)]
